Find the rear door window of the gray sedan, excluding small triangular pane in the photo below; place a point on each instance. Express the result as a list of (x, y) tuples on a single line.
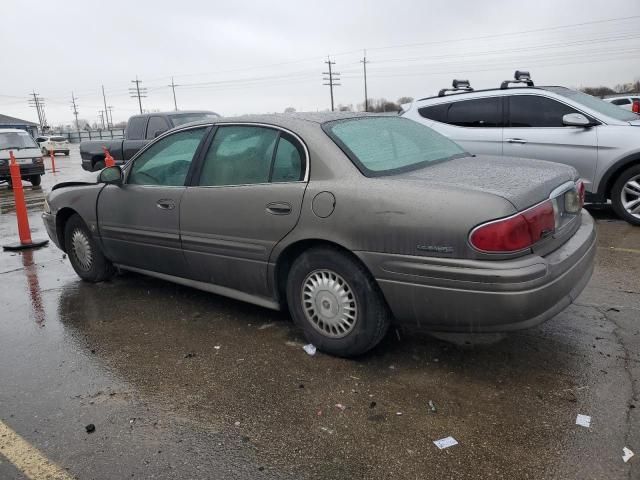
[(239, 155)]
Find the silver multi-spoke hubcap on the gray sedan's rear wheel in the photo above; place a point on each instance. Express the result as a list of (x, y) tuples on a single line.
[(329, 303)]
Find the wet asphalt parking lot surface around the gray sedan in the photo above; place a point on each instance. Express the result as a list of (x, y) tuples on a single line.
[(188, 385)]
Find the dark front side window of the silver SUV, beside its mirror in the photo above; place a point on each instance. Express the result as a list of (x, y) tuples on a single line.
[(536, 111)]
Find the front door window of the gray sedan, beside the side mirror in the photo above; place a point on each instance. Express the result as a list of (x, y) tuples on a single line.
[(167, 161)]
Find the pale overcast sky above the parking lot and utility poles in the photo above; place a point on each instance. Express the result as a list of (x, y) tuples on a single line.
[(254, 56)]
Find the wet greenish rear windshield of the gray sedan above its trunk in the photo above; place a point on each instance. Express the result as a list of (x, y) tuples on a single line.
[(388, 145)]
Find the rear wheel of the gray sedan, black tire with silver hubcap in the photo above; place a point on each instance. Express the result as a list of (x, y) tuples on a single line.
[(372, 315)]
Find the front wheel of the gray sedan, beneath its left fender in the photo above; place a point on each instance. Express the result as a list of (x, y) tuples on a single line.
[(90, 268)]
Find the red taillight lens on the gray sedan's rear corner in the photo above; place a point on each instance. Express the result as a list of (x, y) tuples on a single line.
[(517, 232)]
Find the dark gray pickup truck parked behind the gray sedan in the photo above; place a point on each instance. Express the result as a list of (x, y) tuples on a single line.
[(141, 129)]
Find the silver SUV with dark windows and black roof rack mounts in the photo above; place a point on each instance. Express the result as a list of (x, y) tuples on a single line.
[(601, 140)]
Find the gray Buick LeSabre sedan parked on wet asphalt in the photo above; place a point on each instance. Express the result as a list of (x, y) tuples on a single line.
[(351, 221)]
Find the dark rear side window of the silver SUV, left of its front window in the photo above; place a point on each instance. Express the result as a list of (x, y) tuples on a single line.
[(477, 113)]
